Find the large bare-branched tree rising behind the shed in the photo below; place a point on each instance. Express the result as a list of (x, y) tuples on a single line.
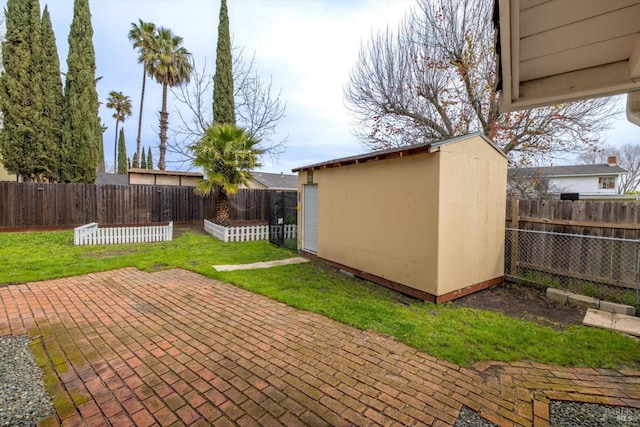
[(434, 78)]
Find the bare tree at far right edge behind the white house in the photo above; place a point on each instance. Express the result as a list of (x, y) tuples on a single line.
[(627, 157)]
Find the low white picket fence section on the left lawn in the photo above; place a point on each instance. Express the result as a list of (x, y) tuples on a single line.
[(90, 234)]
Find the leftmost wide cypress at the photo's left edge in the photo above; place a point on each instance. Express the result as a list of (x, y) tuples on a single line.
[(21, 98)]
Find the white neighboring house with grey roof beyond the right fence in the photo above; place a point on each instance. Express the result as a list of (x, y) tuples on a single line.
[(599, 180)]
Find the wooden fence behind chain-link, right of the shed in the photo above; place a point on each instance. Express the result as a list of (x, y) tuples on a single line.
[(586, 241)]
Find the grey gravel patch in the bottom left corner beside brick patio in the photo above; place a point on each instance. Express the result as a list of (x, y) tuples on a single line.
[(23, 398)]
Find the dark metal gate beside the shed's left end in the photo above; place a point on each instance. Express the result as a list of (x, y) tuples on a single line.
[(283, 218)]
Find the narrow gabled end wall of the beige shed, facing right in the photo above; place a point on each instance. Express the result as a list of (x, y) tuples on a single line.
[(472, 214)]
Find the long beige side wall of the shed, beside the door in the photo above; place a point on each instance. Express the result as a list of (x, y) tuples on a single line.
[(381, 217)]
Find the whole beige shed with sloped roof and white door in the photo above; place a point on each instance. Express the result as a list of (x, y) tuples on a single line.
[(426, 219)]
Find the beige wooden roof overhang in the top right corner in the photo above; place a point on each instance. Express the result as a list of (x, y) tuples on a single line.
[(551, 52)]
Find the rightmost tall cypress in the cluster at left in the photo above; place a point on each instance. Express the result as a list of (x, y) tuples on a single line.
[(82, 132)]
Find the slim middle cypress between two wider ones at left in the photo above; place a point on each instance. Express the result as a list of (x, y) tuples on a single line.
[(53, 98)]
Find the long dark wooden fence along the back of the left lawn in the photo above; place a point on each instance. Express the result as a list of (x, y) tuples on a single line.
[(29, 205)]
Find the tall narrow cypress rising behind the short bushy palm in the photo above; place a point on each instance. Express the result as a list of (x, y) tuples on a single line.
[(223, 103)]
